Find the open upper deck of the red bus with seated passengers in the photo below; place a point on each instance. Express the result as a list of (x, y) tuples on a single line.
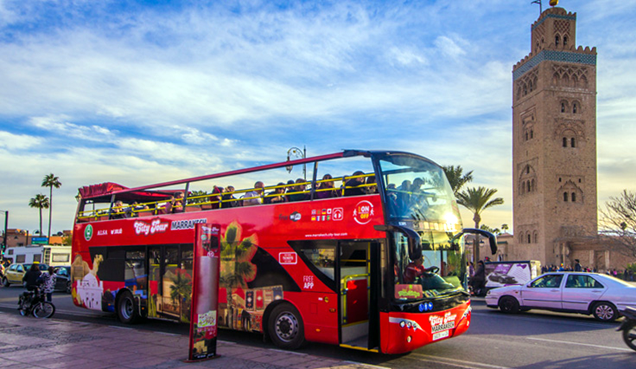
[(356, 175)]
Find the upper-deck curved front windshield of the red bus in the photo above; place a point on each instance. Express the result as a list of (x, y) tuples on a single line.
[(417, 190)]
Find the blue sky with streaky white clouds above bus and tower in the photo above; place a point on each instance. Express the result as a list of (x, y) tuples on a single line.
[(144, 92)]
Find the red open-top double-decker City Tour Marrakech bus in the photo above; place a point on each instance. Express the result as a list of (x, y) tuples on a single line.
[(363, 250)]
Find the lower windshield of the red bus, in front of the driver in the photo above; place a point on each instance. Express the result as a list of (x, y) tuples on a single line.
[(440, 270)]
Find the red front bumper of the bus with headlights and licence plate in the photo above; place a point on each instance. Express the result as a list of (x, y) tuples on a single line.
[(405, 332)]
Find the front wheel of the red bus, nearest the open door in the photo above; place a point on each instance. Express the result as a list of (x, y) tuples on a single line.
[(286, 328)]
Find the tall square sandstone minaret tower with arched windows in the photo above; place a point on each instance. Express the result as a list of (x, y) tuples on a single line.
[(554, 141)]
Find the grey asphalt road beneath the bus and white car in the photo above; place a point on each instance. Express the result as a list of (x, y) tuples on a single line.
[(494, 340)]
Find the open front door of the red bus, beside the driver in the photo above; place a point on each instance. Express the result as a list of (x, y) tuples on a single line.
[(358, 271)]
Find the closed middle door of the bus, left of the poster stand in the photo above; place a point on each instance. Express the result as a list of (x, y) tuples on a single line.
[(170, 282)]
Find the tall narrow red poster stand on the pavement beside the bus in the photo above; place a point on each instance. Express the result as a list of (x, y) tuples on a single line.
[(205, 292)]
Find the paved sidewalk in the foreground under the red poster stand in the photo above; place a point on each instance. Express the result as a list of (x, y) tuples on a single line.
[(26, 342)]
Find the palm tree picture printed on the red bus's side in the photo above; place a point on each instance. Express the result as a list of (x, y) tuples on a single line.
[(236, 263)]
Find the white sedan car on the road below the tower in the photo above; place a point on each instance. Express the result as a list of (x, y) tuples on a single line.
[(572, 292)]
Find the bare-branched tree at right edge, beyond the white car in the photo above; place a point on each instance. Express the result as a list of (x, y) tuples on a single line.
[(618, 220)]
